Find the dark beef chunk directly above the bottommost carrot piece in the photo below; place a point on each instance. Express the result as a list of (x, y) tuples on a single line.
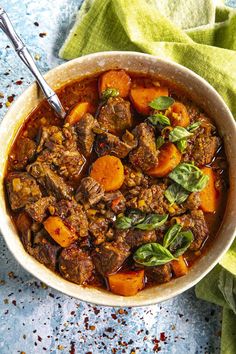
[(110, 256)]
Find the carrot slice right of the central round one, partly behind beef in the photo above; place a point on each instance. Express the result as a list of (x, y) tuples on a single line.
[(168, 159)]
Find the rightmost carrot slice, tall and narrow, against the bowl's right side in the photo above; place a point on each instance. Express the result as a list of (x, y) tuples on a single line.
[(209, 194)]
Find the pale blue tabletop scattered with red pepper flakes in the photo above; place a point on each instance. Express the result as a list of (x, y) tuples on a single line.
[(37, 319)]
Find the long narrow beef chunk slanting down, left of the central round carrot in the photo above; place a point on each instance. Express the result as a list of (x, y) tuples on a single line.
[(51, 182)]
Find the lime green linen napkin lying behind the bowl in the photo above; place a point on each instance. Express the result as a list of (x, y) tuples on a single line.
[(197, 34)]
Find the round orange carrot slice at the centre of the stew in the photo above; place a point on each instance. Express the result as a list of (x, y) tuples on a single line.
[(109, 172)]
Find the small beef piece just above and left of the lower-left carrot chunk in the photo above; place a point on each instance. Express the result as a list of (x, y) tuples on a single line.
[(38, 210)]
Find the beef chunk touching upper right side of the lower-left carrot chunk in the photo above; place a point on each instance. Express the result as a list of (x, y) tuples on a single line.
[(74, 216)]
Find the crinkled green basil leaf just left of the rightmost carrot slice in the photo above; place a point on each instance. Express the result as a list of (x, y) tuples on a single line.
[(190, 177)]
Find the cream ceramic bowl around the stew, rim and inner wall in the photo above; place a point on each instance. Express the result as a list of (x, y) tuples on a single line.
[(201, 92)]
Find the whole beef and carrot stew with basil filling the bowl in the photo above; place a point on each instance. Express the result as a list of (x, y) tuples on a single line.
[(128, 192)]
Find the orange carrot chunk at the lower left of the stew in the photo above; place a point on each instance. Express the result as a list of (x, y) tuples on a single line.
[(59, 231)]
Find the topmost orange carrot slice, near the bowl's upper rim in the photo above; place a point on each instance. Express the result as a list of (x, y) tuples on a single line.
[(117, 79)]
